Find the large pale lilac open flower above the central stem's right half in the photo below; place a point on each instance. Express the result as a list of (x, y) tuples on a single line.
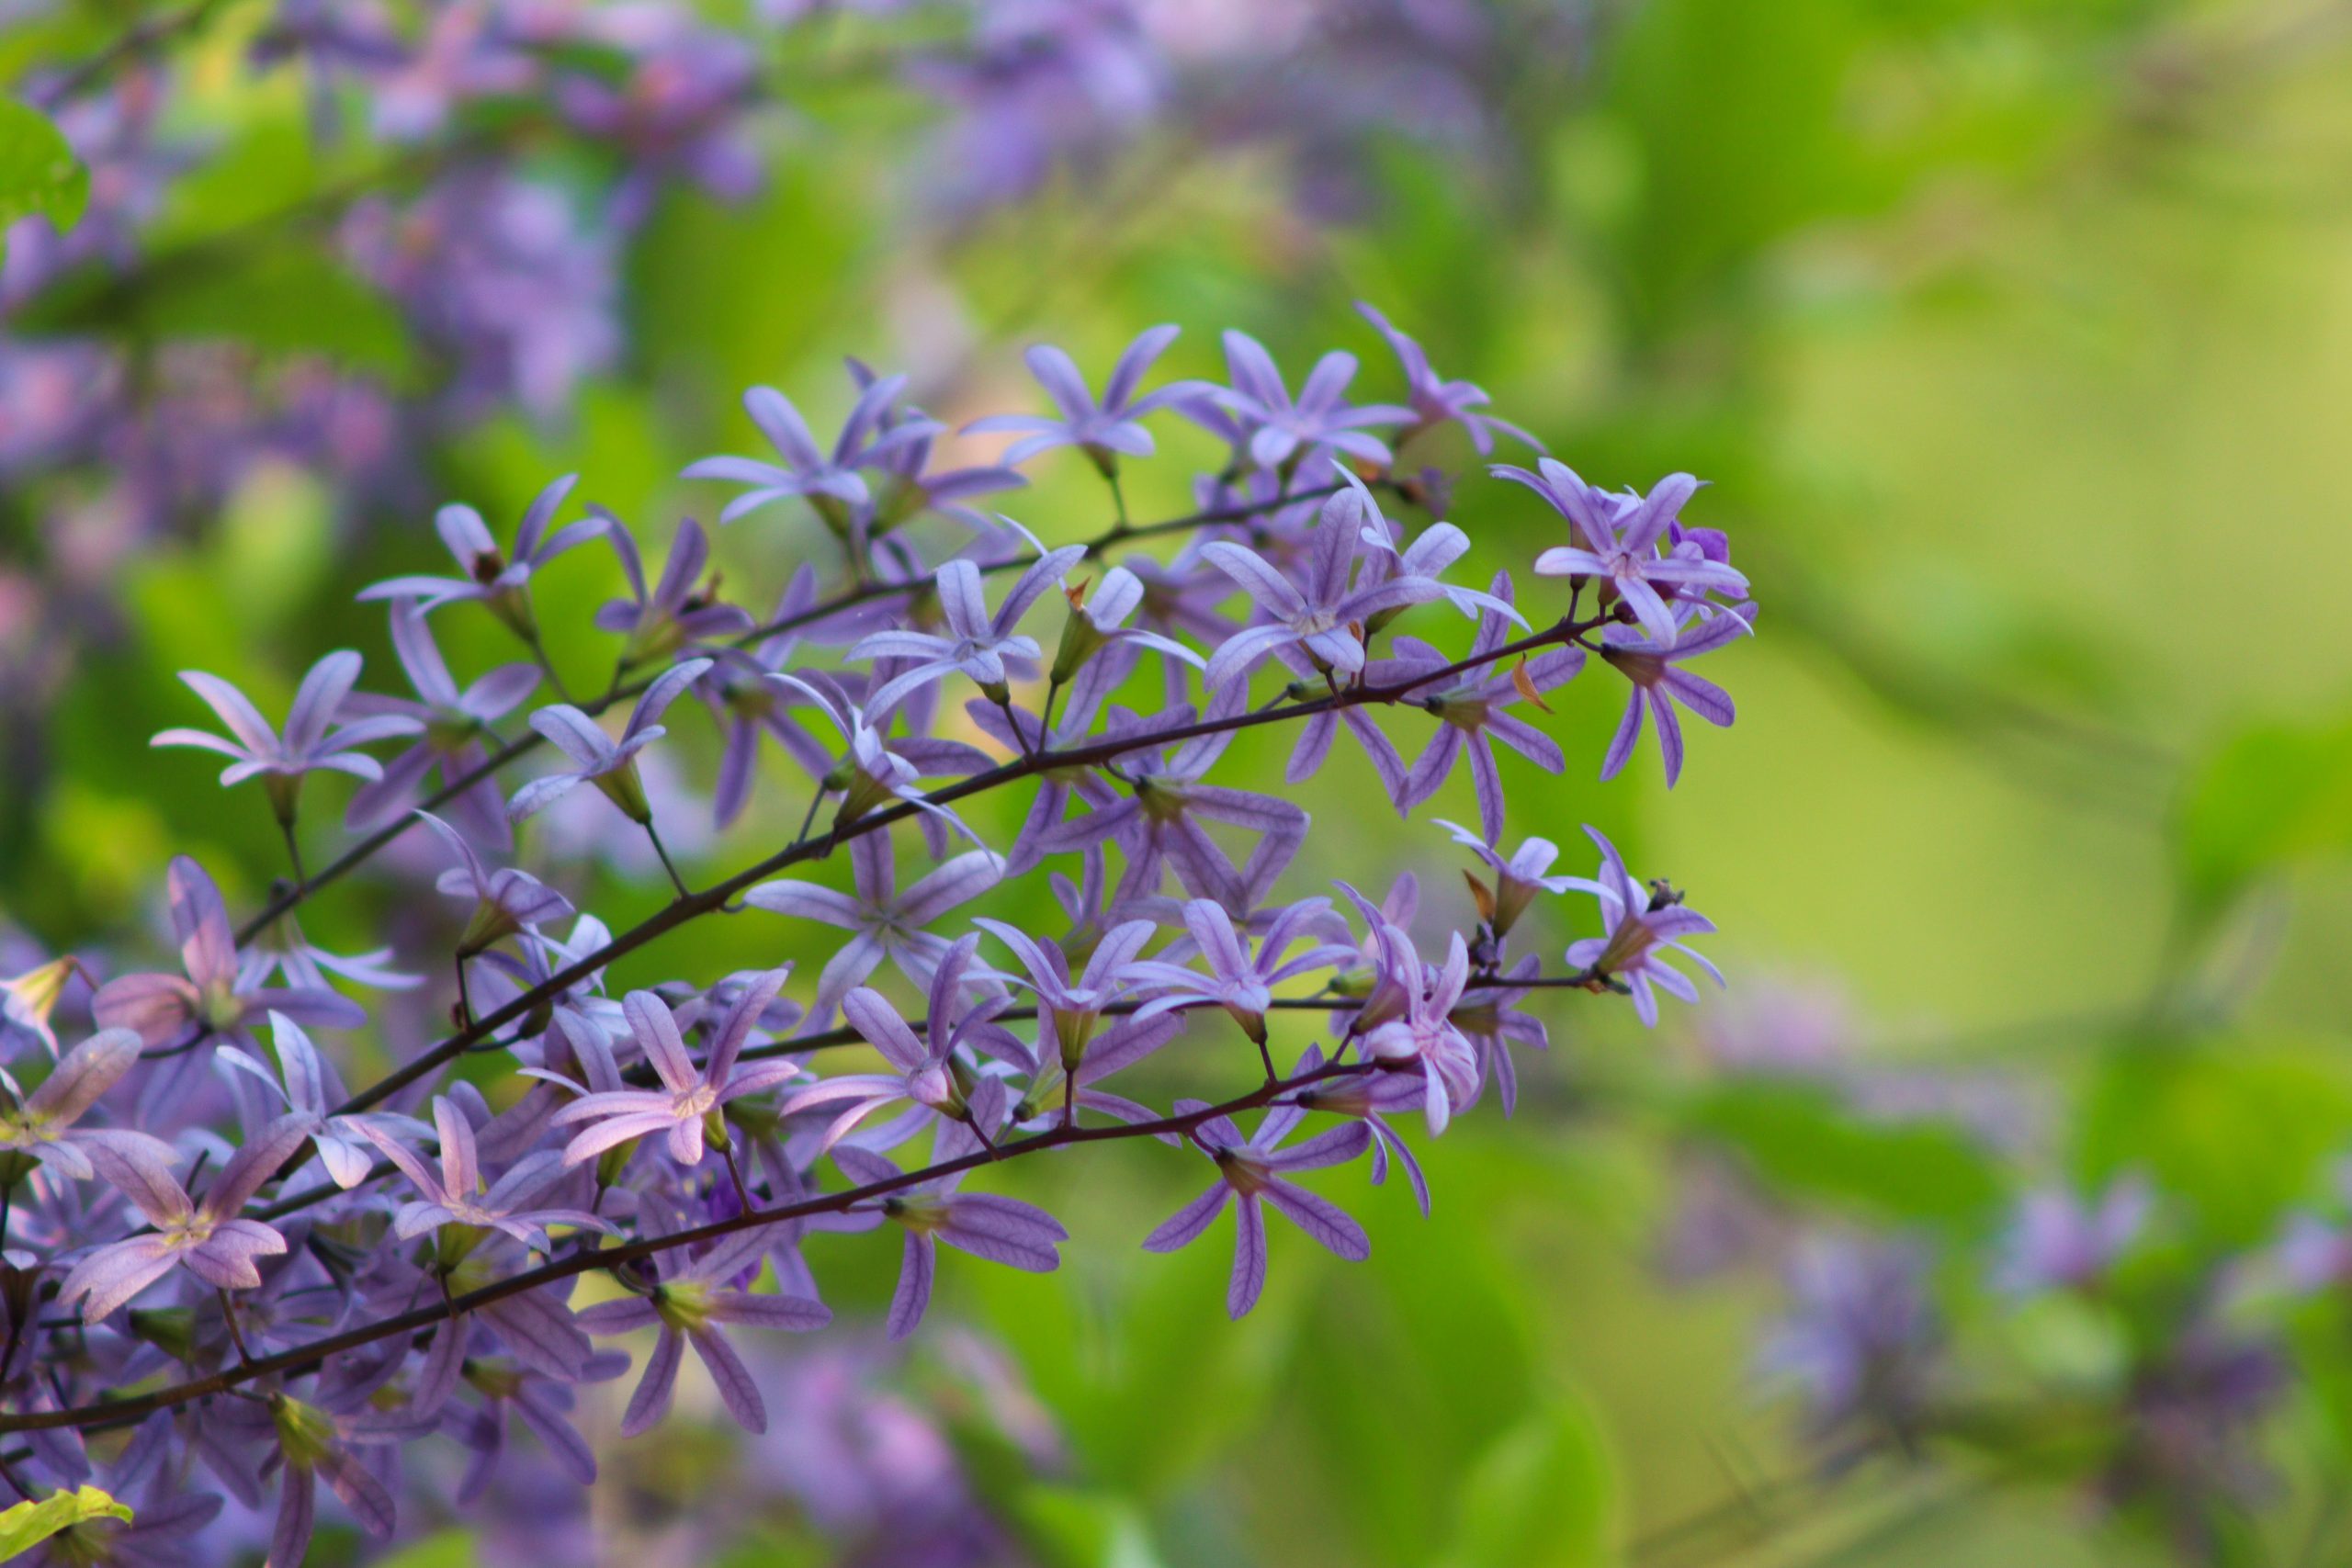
[(1328, 612)]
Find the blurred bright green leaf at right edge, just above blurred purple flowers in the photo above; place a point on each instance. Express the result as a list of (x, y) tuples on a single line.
[(2231, 1132)]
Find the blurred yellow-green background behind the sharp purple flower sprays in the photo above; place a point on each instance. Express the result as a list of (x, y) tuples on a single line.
[(2014, 340)]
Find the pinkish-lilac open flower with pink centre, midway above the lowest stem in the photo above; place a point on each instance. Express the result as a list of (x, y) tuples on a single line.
[(690, 1104)]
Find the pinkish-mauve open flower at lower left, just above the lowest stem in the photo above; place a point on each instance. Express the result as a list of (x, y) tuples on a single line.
[(208, 1238)]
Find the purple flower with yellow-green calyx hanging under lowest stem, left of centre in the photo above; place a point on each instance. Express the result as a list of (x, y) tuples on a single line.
[(690, 1306)]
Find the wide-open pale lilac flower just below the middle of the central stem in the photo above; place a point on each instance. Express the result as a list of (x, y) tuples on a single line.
[(886, 920)]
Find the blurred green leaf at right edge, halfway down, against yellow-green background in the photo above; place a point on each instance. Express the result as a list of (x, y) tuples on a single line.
[(2264, 798)]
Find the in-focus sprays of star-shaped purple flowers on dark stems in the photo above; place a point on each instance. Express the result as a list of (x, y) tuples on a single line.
[(283, 1280)]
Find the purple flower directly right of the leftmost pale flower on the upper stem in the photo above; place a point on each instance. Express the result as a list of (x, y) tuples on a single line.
[(453, 723)]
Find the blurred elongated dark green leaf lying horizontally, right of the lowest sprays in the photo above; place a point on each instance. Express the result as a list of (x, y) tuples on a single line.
[(1803, 1139)]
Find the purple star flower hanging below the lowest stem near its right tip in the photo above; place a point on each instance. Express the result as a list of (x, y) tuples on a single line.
[(1250, 1170)]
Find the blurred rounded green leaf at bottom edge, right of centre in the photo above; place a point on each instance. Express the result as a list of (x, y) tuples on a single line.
[(1542, 1496)]
